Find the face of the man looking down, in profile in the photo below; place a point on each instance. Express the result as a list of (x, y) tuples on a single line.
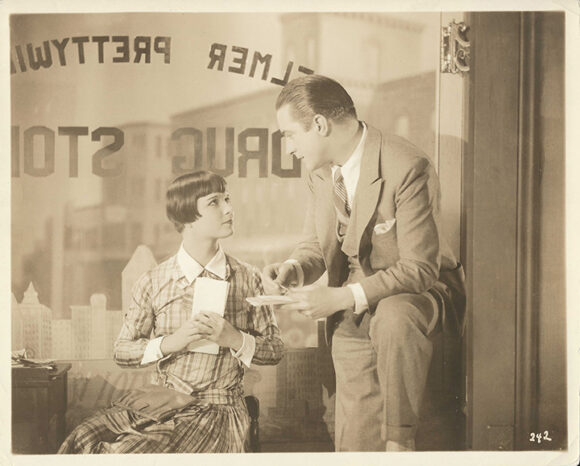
[(306, 145)]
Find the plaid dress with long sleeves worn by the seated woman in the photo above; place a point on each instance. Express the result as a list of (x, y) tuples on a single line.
[(219, 421)]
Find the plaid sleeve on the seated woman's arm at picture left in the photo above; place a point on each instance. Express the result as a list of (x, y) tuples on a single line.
[(137, 325)]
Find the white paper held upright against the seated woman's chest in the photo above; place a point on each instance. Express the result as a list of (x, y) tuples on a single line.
[(209, 295)]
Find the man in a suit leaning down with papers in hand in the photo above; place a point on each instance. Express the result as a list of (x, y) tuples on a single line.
[(372, 224)]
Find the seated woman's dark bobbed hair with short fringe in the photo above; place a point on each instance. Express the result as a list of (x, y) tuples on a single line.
[(185, 190)]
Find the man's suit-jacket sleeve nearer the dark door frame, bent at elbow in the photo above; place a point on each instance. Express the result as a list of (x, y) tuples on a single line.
[(417, 269)]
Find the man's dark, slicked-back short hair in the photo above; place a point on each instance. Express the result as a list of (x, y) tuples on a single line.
[(315, 94)]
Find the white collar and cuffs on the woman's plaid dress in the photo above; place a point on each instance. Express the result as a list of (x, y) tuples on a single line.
[(192, 269)]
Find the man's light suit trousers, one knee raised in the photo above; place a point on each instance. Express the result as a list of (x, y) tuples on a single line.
[(381, 363)]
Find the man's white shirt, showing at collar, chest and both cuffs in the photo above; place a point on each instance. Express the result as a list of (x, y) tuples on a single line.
[(351, 173)]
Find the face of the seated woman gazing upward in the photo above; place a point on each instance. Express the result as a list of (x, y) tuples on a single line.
[(216, 216)]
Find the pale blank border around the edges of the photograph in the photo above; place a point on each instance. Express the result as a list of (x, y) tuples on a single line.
[(572, 215)]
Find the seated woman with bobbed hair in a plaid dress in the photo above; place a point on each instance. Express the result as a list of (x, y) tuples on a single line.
[(159, 327)]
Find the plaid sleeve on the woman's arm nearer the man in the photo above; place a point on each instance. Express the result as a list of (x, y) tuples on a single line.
[(263, 326)]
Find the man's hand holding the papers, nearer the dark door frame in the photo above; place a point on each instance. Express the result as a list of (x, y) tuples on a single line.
[(320, 302)]
